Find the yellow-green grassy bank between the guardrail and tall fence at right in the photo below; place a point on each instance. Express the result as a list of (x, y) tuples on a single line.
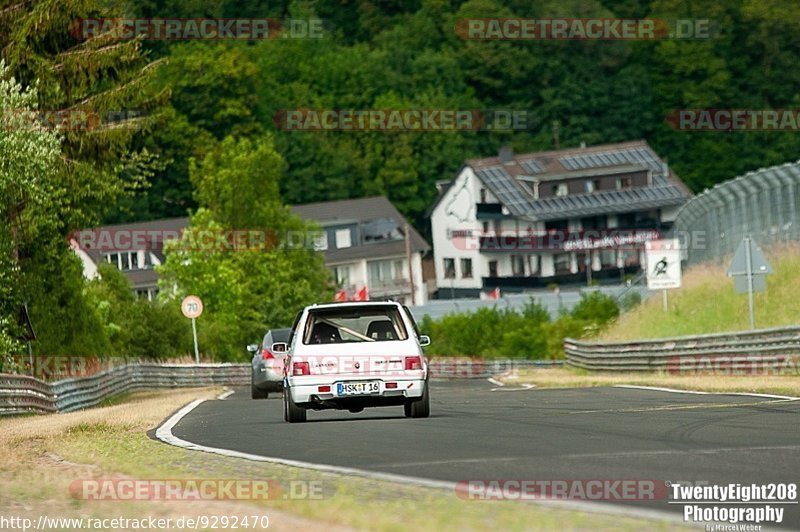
[(708, 303)]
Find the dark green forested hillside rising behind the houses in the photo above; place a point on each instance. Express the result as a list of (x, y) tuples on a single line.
[(406, 54)]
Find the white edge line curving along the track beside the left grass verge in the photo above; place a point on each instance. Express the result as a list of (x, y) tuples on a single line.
[(164, 433)]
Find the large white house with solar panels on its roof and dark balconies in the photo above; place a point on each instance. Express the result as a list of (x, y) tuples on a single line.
[(565, 216)]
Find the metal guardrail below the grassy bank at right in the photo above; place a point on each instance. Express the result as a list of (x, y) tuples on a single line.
[(656, 355)]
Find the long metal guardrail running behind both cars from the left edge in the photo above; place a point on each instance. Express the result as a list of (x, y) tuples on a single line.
[(21, 394)]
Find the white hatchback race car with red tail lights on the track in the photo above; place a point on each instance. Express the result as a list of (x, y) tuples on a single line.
[(349, 356)]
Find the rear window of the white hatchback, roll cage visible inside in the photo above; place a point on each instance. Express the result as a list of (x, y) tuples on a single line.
[(363, 324)]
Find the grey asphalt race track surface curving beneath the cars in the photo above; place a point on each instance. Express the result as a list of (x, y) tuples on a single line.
[(479, 431)]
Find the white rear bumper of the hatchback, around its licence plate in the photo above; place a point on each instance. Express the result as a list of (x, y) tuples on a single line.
[(306, 392)]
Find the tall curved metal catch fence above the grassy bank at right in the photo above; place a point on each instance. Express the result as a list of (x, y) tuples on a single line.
[(762, 204)]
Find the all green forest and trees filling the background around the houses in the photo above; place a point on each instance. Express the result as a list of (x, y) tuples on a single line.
[(191, 127)]
